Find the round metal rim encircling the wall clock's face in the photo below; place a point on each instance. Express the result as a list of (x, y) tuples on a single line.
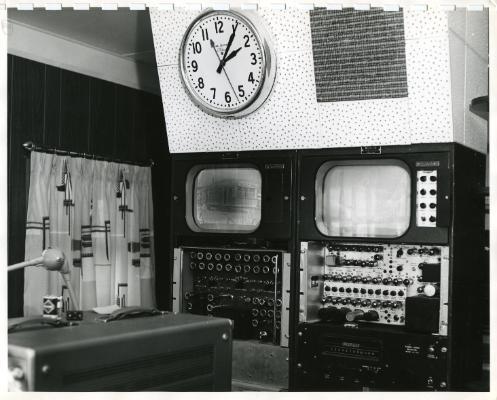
[(268, 65)]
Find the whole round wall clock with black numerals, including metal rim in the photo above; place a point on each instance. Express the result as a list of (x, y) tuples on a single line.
[(227, 63)]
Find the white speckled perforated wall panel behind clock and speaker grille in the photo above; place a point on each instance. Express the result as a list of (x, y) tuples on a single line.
[(291, 117)]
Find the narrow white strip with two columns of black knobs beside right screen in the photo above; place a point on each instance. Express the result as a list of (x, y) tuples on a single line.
[(426, 198)]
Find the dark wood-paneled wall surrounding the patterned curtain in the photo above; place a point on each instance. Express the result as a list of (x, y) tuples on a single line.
[(70, 111)]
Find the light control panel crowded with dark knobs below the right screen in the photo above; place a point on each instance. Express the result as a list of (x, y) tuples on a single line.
[(377, 283)]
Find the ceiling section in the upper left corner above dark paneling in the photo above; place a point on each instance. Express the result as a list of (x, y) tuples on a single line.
[(123, 33)]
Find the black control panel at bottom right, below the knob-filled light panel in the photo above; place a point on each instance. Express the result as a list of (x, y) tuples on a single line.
[(380, 358)]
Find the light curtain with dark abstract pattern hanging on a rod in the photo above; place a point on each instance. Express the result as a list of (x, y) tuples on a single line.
[(100, 214)]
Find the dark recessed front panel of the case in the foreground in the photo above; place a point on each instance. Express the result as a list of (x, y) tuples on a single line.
[(186, 371)]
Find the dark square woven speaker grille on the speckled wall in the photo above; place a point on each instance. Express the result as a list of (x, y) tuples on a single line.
[(358, 55)]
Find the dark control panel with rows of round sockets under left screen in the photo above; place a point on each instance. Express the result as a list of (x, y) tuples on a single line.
[(248, 286)]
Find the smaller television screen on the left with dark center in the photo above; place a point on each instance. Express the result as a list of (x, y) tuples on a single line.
[(227, 199)]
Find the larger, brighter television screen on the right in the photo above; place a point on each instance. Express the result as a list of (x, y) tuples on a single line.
[(363, 200)]
